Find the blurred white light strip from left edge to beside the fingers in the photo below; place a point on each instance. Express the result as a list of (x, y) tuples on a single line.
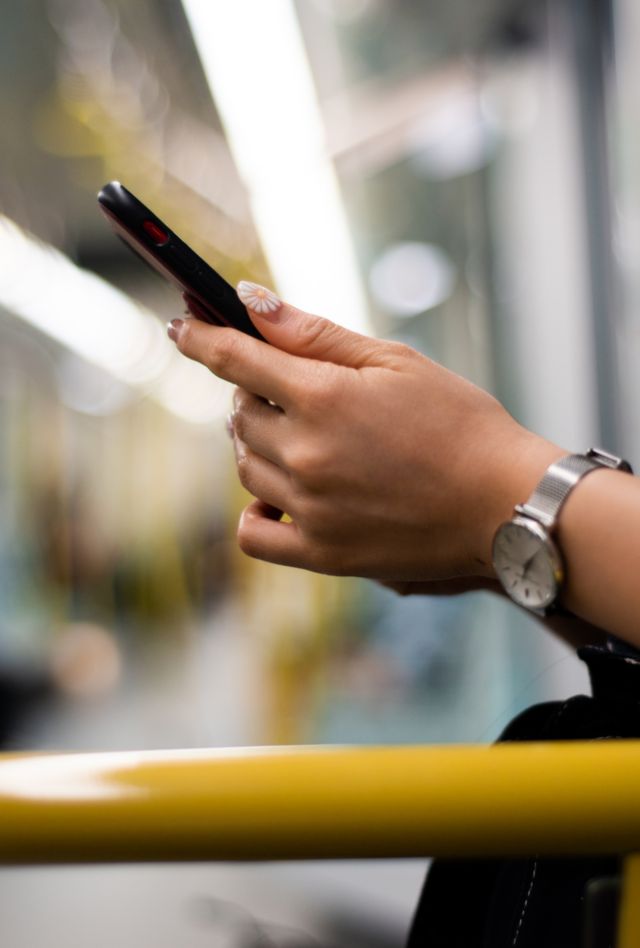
[(102, 325)]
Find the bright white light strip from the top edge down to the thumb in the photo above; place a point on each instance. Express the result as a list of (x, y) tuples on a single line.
[(254, 58)]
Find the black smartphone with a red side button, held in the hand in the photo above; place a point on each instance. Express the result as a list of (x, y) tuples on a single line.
[(207, 294)]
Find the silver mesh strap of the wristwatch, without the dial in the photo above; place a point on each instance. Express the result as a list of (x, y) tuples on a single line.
[(559, 480)]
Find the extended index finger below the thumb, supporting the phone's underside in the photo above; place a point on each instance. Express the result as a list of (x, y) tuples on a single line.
[(235, 357)]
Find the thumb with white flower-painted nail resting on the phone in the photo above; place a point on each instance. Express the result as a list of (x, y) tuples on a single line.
[(303, 334)]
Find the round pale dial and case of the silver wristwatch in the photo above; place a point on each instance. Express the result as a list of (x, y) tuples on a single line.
[(527, 563)]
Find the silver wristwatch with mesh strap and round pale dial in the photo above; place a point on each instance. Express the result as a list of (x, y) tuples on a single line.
[(526, 559)]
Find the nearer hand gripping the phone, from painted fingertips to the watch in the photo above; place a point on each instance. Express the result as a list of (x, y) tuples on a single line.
[(388, 465)]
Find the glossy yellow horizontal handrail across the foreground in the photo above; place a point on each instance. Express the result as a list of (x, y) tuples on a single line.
[(321, 802)]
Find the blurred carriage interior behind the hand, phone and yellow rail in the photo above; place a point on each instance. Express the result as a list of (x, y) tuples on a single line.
[(461, 175)]
